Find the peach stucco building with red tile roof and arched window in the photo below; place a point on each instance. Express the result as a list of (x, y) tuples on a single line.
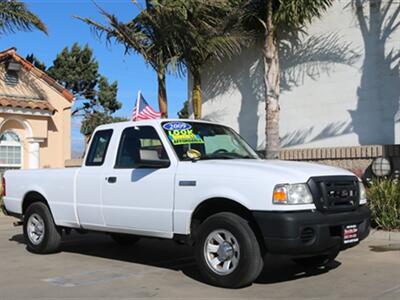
[(35, 116)]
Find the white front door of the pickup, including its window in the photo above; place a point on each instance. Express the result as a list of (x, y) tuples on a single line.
[(137, 196)]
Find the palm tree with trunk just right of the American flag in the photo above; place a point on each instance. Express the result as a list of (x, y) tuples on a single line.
[(151, 33)]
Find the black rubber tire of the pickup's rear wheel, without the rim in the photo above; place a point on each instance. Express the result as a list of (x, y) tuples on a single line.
[(51, 240)]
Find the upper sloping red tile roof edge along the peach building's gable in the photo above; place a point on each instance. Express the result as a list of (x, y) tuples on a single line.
[(12, 53)]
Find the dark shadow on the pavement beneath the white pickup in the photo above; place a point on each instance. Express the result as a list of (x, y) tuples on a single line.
[(170, 255)]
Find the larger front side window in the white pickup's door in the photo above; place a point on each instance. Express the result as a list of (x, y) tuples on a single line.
[(137, 141)]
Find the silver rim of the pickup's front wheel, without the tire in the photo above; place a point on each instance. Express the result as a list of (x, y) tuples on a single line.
[(222, 252)]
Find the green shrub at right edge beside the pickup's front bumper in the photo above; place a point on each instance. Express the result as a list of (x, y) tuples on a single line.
[(384, 201)]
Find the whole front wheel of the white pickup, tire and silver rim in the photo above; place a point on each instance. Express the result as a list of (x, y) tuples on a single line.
[(227, 251)]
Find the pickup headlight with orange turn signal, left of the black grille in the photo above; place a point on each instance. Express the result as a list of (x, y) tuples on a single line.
[(298, 193)]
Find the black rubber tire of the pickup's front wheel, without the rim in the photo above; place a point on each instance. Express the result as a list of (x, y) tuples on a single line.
[(249, 262)]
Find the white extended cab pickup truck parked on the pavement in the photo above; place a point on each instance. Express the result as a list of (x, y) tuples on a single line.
[(197, 182)]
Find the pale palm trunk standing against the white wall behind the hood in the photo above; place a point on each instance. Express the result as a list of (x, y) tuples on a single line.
[(272, 88)]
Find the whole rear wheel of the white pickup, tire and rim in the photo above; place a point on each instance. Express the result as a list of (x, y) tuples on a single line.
[(40, 232)]
